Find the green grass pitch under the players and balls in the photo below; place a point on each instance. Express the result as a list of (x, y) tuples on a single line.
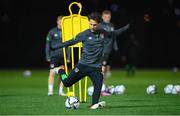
[(20, 95)]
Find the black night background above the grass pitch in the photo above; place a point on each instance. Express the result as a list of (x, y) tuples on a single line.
[(25, 24)]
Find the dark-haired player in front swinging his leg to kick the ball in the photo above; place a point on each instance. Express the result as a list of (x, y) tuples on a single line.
[(90, 62)]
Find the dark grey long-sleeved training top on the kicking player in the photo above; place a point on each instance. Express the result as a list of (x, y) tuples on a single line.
[(93, 45)]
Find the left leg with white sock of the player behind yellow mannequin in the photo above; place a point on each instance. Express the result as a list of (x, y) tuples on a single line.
[(50, 82)]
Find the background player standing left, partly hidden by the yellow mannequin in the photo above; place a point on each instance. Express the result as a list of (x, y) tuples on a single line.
[(55, 56)]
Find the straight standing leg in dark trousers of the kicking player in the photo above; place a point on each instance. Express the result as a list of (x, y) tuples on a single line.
[(97, 79)]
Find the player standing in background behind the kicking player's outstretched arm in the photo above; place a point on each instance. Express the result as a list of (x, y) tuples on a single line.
[(110, 45)]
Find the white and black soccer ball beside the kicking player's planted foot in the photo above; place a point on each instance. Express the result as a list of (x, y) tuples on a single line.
[(72, 103)]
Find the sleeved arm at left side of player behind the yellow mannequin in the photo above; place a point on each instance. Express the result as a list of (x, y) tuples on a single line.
[(48, 46)]
